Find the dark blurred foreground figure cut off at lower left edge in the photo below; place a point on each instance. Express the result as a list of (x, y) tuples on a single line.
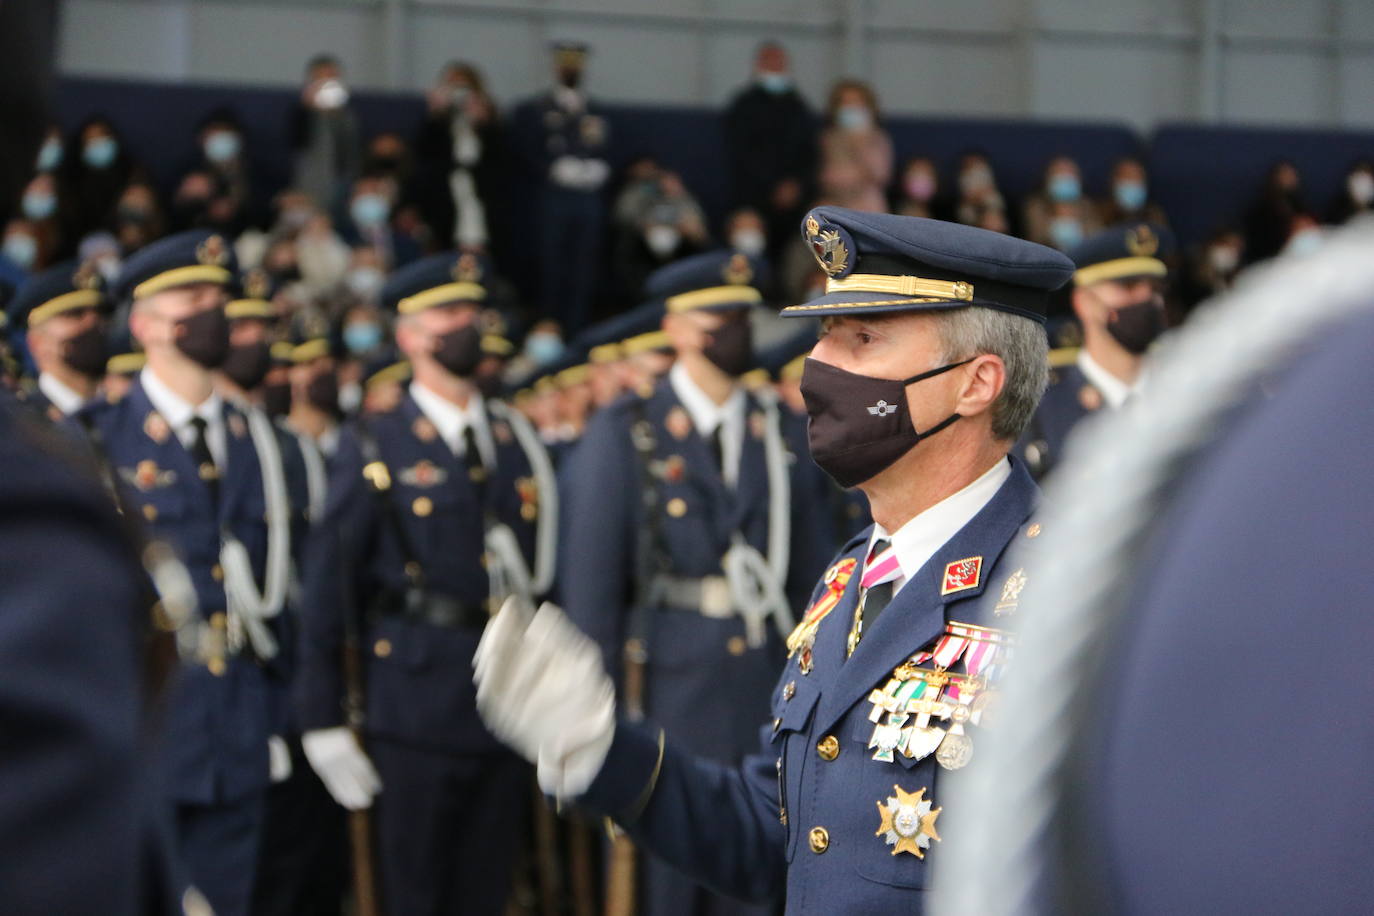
[(74, 816)]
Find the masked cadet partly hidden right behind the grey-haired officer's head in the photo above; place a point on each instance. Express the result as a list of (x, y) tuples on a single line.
[(1119, 300)]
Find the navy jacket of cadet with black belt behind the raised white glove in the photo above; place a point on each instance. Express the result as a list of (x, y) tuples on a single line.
[(420, 689)]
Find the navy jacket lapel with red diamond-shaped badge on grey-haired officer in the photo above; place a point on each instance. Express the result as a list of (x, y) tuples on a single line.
[(919, 613)]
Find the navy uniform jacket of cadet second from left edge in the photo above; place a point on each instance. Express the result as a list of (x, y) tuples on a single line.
[(219, 719)]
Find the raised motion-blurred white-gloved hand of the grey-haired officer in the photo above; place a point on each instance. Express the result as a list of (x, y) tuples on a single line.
[(542, 689)]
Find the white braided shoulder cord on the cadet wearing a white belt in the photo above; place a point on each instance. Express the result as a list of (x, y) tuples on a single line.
[(756, 586)]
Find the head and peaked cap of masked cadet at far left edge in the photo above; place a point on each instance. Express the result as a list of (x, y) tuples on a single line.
[(63, 311)]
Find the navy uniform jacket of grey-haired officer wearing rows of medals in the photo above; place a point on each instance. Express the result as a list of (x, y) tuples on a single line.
[(796, 816)]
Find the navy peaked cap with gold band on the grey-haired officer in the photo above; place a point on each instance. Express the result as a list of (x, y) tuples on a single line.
[(877, 263)]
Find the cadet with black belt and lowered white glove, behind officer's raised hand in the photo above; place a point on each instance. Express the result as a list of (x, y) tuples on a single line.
[(435, 509)]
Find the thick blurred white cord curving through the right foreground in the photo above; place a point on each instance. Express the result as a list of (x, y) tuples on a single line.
[(1005, 807)]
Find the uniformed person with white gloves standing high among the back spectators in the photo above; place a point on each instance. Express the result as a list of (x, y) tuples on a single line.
[(564, 139)]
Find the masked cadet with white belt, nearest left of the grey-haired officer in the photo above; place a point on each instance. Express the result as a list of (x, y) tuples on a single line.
[(701, 550)]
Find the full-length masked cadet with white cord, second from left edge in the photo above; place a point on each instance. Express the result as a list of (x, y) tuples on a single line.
[(208, 479)]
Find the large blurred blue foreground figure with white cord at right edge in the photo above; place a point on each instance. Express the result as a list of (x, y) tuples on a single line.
[(1193, 737)]
